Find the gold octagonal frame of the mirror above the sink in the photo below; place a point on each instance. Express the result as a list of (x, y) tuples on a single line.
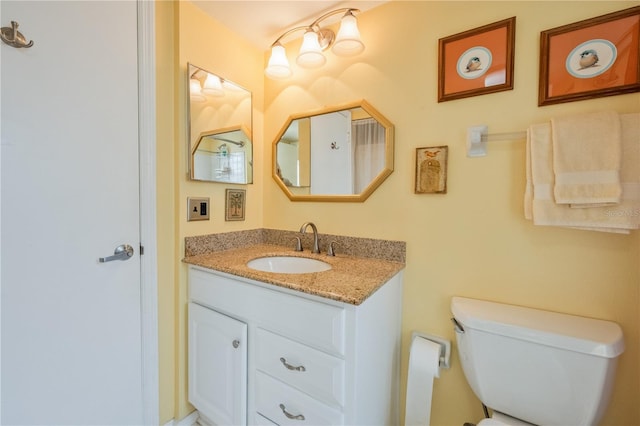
[(373, 185)]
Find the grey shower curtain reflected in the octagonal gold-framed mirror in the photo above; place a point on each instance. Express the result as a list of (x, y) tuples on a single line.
[(368, 138)]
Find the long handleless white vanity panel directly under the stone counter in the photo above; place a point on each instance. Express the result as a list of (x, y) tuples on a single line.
[(312, 322)]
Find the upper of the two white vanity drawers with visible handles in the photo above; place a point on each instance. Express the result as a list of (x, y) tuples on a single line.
[(312, 371)]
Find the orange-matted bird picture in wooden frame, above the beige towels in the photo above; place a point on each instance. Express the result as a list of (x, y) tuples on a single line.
[(590, 59)]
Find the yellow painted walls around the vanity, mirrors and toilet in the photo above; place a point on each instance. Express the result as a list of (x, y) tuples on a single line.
[(473, 241)]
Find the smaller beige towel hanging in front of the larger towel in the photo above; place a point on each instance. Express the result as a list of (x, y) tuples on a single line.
[(586, 159)]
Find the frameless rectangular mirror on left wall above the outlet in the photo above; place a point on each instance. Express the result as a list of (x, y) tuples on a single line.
[(220, 138)]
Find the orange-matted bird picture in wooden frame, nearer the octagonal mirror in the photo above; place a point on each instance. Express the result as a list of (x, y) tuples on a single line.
[(477, 61)]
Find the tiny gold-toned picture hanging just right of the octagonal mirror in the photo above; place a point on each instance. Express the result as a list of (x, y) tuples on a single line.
[(431, 170)]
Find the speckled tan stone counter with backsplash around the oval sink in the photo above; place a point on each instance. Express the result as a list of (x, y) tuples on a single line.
[(351, 279)]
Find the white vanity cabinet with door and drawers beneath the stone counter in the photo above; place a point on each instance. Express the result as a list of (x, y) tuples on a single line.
[(309, 360)]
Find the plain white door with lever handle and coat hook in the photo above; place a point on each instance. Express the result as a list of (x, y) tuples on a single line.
[(71, 326)]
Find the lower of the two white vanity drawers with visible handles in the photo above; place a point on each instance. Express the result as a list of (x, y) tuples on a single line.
[(285, 405)]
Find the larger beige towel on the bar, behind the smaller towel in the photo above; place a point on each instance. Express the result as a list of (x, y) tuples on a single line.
[(539, 202)]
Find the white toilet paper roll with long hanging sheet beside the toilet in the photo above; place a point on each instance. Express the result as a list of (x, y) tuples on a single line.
[(424, 360)]
